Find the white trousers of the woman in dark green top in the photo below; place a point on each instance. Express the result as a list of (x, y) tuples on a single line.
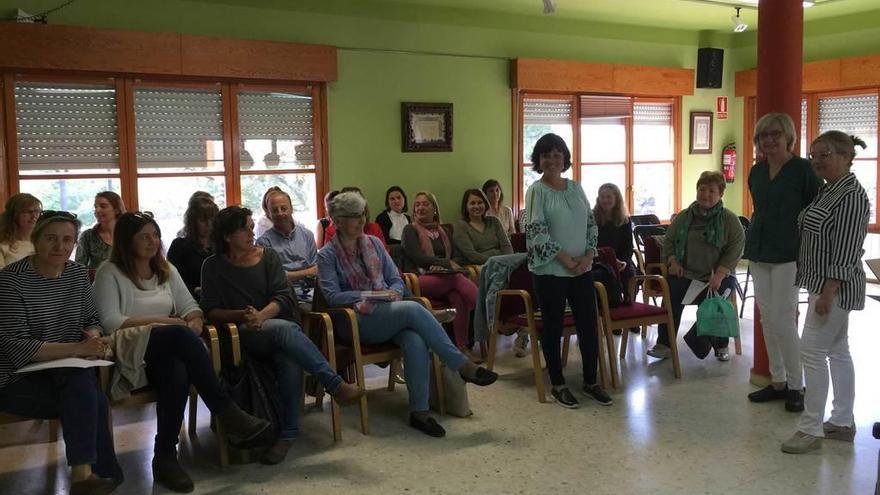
[(777, 296)]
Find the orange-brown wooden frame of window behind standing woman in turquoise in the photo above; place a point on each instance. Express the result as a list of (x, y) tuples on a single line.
[(520, 163)]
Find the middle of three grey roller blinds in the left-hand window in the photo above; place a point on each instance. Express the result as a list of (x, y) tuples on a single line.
[(178, 127)]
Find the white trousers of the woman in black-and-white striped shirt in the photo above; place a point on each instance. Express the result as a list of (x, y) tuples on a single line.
[(825, 341)]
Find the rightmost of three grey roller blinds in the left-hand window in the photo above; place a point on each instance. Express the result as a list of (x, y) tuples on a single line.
[(285, 120)]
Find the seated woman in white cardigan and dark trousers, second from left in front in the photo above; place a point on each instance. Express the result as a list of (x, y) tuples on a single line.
[(141, 297)]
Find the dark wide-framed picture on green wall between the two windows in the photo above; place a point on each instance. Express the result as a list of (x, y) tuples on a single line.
[(426, 126)]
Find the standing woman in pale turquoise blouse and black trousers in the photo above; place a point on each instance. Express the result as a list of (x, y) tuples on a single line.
[(561, 240)]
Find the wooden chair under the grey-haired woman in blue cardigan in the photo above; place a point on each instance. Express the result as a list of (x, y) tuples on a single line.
[(352, 355)]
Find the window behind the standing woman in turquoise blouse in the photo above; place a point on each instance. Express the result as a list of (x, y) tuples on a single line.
[(624, 140)]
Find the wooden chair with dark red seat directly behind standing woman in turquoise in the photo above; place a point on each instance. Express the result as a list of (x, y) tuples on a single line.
[(515, 309)]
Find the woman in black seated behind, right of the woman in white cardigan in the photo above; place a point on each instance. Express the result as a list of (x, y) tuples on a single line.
[(187, 253)]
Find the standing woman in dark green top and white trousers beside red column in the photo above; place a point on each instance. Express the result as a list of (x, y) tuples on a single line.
[(782, 185)]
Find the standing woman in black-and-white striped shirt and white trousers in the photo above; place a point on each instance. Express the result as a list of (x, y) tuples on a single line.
[(833, 229)]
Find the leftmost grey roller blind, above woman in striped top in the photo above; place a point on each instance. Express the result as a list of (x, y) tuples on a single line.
[(66, 126)]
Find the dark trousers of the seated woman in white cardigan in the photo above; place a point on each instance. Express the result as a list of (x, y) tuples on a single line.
[(176, 358)]
